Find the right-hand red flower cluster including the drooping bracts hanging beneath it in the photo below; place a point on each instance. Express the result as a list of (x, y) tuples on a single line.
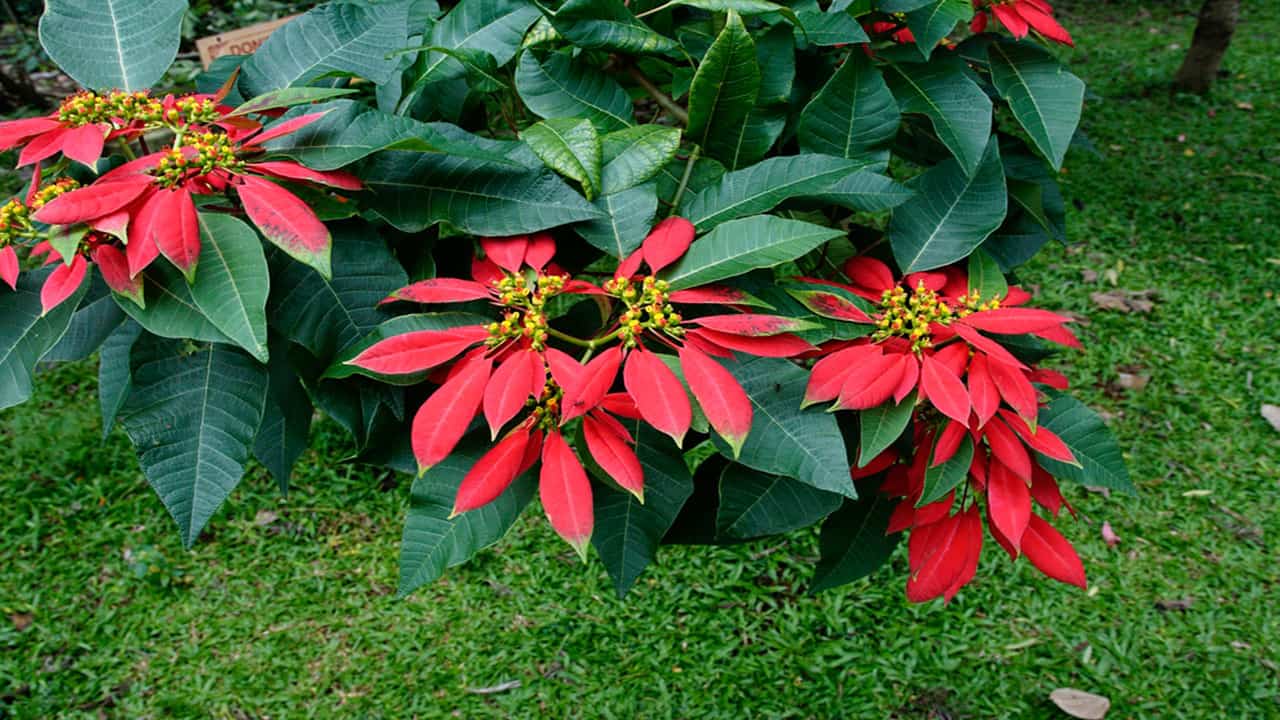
[(927, 343)]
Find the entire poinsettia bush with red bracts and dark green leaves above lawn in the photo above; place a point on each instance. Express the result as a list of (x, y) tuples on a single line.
[(688, 271)]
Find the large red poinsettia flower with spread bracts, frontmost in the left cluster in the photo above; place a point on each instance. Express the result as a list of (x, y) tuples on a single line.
[(150, 202)]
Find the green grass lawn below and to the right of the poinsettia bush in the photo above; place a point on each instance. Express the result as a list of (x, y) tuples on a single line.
[(298, 617)]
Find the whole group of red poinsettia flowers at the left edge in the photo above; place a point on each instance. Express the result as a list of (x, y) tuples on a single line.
[(147, 208)]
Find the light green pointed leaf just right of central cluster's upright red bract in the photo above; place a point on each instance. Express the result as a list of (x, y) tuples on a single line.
[(739, 247)]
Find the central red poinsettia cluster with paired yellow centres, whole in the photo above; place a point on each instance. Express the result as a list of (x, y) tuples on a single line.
[(510, 371)]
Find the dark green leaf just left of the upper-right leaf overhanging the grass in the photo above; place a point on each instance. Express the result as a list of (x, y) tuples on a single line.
[(943, 92)]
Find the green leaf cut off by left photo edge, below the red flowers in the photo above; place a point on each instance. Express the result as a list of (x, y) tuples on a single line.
[(26, 335)]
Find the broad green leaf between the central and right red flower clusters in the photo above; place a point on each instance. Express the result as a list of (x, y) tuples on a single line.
[(785, 440)]
